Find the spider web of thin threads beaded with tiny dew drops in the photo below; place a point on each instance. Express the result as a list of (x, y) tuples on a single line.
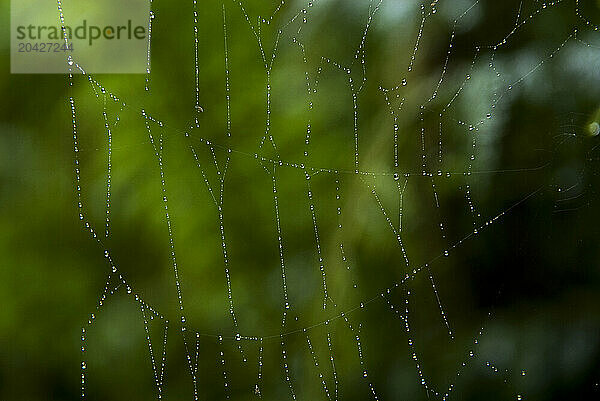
[(300, 204)]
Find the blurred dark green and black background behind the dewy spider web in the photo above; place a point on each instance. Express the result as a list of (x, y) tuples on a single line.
[(530, 279)]
